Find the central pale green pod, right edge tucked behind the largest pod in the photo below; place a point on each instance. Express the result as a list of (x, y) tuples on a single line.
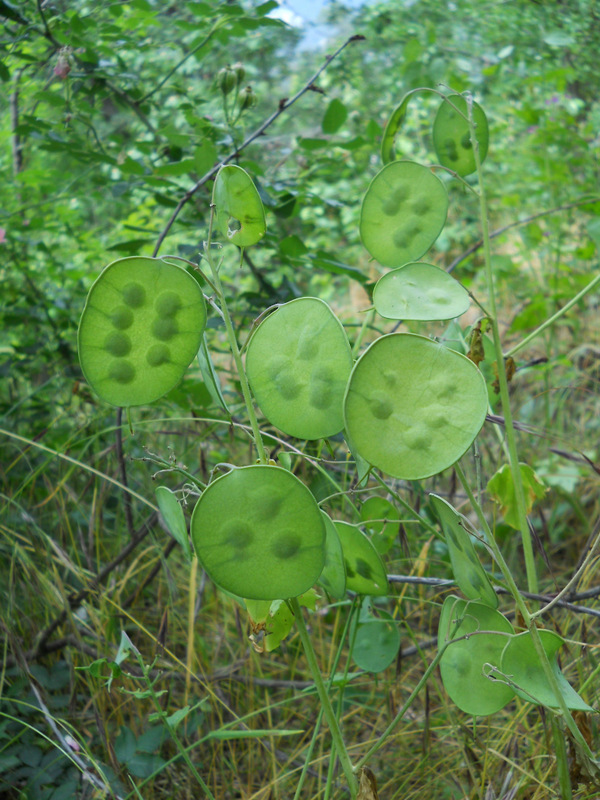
[(298, 363)]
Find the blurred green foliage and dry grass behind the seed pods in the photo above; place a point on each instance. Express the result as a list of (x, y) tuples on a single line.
[(110, 112)]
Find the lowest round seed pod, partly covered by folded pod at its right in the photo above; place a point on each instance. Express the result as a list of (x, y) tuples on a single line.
[(466, 663)]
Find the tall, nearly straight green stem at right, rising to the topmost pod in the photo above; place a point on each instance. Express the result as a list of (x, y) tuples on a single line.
[(511, 439)]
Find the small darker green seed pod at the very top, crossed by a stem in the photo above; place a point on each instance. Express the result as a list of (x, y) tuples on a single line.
[(451, 136)]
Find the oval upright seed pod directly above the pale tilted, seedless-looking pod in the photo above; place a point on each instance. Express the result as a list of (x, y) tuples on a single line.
[(403, 213)]
